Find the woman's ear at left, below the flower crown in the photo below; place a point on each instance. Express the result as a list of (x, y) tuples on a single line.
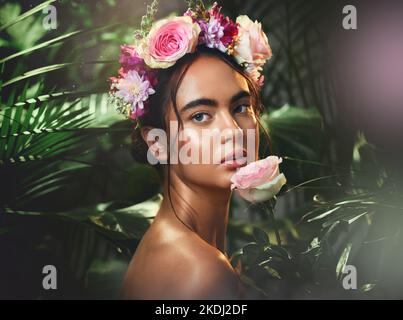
[(156, 141)]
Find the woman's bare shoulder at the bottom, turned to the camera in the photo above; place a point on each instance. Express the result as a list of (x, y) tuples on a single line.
[(187, 268)]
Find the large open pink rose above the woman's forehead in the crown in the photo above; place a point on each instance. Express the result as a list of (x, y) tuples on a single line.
[(169, 40)]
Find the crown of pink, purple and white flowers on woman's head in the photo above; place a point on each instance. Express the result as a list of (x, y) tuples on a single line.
[(158, 45)]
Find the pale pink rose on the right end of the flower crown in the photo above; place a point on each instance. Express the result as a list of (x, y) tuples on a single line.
[(253, 46)]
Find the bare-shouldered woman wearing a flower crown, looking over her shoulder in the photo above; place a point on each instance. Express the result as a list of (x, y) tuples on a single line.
[(182, 255)]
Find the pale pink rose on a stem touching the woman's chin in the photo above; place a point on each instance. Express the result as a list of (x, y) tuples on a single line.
[(260, 180)]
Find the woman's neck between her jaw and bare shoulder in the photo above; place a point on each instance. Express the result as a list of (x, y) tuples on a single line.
[(203, 210)]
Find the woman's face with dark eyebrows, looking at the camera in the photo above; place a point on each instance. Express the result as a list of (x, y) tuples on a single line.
[(216, 110)]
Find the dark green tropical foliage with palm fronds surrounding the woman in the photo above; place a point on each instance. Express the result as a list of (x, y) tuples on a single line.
[(71, 195)]
